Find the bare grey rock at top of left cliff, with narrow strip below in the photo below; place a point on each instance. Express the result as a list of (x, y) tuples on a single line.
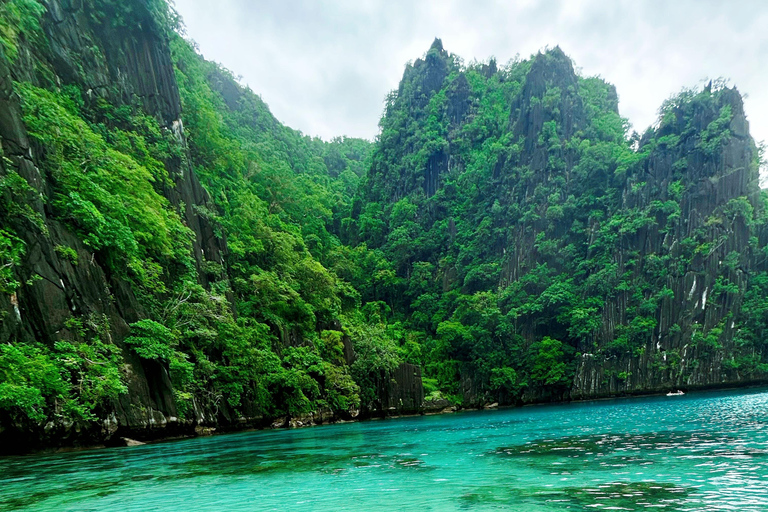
[(130, 64)]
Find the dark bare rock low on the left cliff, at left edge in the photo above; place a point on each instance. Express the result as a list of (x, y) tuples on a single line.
[(60, 290)]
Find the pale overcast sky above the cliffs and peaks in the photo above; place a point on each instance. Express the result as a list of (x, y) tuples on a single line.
[(324, 67)]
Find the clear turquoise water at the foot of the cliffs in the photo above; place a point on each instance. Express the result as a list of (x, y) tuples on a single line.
[(705, 451)]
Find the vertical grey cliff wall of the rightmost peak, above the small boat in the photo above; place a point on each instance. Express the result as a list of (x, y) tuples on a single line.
[(710, 248)]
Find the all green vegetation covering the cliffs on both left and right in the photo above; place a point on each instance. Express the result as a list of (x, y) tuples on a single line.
[(504, 225)]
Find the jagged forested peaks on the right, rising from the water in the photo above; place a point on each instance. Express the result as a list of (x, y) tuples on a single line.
[(548, 254)]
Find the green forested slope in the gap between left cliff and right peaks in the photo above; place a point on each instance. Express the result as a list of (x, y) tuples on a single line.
[(278, 195)]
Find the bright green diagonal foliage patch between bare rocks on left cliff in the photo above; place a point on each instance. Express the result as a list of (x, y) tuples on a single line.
[(109, 196)]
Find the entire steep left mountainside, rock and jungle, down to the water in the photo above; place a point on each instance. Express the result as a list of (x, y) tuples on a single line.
[(151, 282)]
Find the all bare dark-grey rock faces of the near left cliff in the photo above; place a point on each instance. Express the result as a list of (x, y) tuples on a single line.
[(124, 66)]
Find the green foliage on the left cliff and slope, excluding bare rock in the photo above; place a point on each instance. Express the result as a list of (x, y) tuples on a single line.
[(266, 335)]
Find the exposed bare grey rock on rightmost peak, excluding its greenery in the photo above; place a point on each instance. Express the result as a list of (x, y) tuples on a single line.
[(671, 360)]
